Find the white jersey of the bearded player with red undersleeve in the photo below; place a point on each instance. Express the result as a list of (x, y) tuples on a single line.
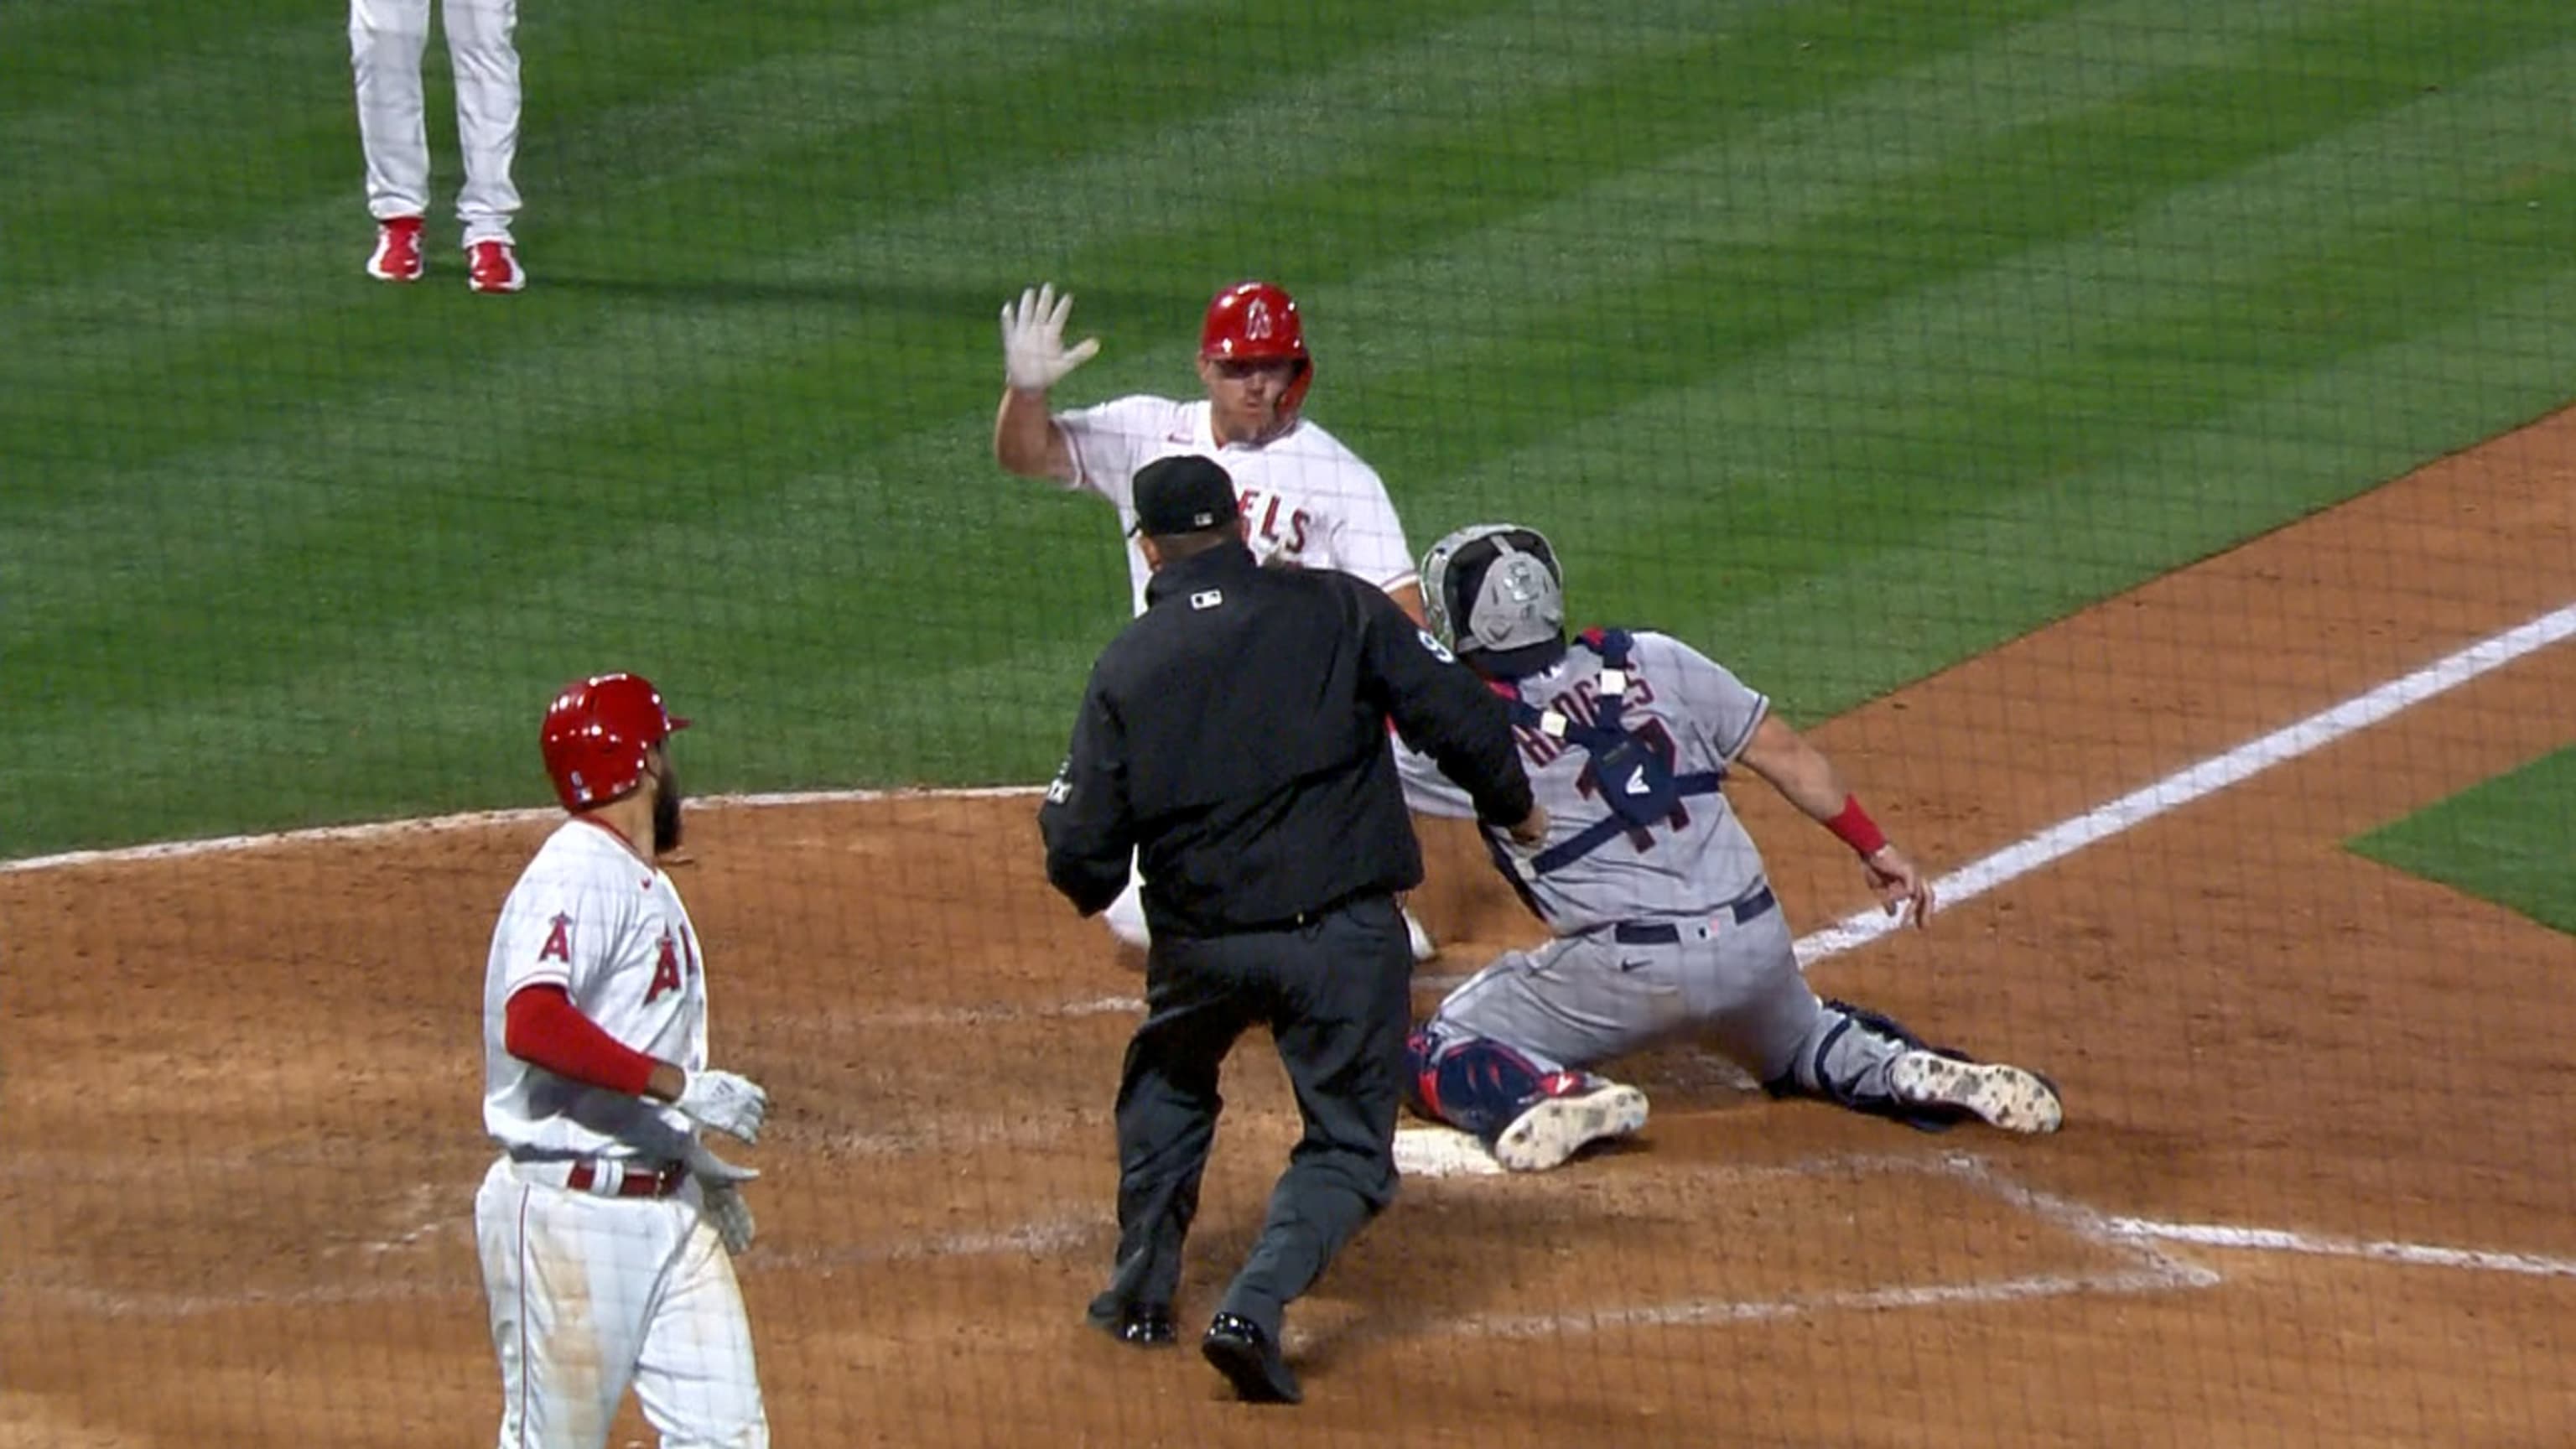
[(604, 924)]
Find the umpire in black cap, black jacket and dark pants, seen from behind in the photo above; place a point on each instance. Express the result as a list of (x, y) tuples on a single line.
[(1235, 741)]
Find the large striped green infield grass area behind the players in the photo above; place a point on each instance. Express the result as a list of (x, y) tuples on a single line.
[(1843, 336)]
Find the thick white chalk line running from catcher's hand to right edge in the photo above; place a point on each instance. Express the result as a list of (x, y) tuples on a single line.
[(2209, 777)]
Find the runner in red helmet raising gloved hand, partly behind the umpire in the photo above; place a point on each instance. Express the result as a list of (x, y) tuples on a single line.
[(1307, 499)]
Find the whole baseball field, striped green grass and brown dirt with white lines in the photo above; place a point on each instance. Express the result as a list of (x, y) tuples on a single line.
[(2129, 434)]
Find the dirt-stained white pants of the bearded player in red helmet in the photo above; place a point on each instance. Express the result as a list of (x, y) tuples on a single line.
[(591, 1296)]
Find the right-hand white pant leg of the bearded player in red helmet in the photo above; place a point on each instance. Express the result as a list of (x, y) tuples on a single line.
[(697, 1376)]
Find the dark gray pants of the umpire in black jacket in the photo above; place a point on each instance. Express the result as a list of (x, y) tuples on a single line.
[(1336, 997)]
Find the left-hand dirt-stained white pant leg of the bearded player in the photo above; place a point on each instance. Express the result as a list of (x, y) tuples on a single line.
[(553, 1265)]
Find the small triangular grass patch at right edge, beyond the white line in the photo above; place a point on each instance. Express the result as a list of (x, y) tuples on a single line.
[(2510, 842)]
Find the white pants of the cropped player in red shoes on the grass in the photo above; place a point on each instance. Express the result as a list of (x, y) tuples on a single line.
[(385, 43)]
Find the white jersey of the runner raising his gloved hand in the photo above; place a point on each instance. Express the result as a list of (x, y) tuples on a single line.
[(1305, 496)]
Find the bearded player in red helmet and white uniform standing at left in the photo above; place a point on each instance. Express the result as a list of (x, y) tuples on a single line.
[(607, 1226)]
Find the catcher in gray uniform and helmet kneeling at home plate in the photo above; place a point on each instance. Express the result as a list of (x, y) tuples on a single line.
[(1665, 924)]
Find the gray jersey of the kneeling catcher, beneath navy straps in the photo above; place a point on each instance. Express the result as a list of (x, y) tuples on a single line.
[(1699, 718)]
